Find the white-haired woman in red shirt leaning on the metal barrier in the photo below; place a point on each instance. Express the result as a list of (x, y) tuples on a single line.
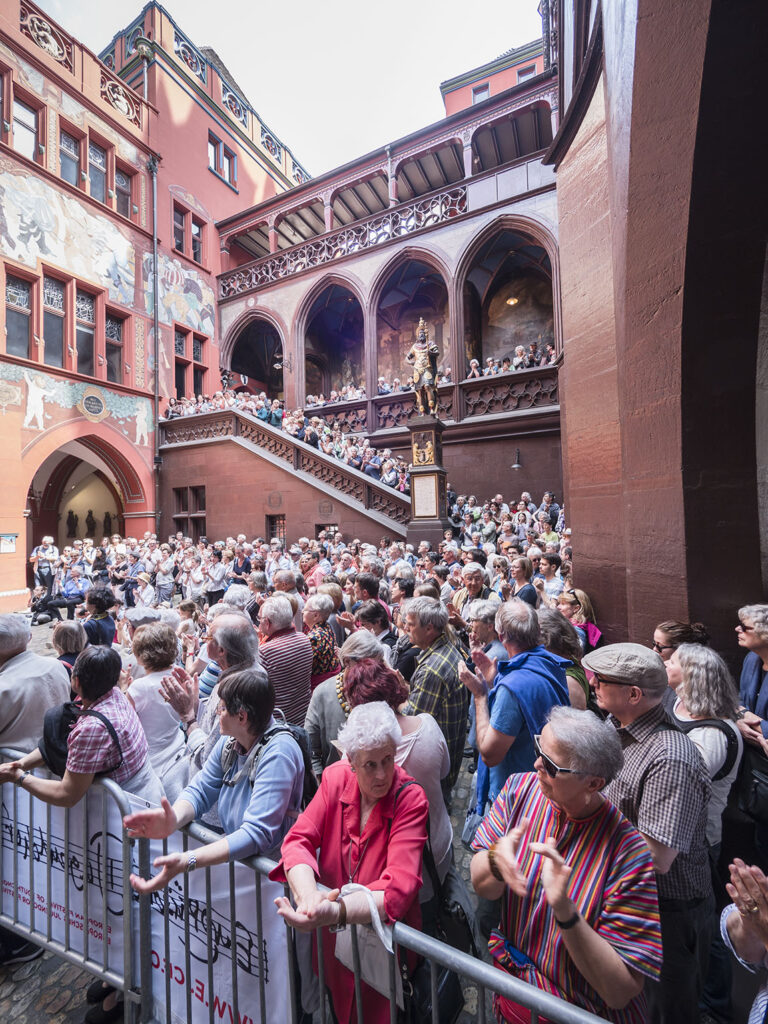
[(363, 827)]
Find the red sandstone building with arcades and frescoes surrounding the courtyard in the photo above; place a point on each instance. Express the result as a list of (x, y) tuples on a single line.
[(574, 204)]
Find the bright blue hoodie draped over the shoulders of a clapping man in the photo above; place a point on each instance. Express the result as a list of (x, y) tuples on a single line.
[(525, 691)]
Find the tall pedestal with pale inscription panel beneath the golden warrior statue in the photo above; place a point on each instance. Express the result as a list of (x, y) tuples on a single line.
[(429, 492)]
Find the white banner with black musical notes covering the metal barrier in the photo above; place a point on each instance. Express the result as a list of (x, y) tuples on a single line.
[(63, 871)]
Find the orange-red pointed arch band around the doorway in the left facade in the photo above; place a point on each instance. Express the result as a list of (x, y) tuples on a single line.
[(133, 475)]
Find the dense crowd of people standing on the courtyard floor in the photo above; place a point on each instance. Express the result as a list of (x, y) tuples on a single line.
[(602, 773)]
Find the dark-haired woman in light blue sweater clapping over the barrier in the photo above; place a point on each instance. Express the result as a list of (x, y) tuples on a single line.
[(255, 774)]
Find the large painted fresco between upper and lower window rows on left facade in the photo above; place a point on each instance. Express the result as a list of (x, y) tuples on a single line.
[(39, 223)]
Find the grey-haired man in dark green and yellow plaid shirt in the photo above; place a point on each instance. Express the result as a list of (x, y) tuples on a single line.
[(436, 688)]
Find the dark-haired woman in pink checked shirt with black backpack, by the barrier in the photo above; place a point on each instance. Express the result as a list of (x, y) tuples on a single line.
[(93, 748)]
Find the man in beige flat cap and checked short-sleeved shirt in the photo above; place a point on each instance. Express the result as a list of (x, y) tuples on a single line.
[(664, 790)]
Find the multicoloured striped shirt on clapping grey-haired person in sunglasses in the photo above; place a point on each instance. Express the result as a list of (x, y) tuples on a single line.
[(613, 885)]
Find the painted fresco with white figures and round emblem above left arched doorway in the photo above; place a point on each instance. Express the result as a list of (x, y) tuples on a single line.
[(45, 396)]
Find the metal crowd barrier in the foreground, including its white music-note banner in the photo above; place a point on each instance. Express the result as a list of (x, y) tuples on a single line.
[(222, 938)]
